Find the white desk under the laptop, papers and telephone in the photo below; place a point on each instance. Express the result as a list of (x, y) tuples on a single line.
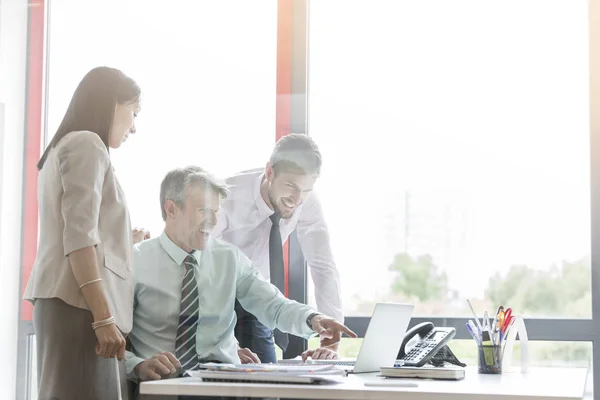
[(537, 384)]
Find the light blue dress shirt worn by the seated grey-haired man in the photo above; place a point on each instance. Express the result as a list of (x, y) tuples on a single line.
[(223, 273)]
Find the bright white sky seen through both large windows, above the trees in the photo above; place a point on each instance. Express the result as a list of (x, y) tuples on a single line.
[(478, 109)]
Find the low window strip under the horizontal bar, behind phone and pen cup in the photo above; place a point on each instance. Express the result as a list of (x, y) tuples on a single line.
[(541, 354)]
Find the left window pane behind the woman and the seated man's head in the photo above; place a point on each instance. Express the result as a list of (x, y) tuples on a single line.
[(207, 70)]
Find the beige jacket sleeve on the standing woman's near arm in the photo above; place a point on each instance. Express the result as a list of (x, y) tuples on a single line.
[(83, 162)]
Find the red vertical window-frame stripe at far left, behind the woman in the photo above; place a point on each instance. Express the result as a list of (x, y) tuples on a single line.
[(35, 74)]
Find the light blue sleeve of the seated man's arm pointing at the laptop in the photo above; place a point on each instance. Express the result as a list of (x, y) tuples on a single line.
[(266, 302)]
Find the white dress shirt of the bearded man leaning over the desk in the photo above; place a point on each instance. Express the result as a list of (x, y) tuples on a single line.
[(244, 221)]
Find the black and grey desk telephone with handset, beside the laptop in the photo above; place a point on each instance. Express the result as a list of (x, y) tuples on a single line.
[(426, 343)]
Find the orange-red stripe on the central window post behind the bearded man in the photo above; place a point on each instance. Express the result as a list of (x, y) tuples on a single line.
[(284, 88)]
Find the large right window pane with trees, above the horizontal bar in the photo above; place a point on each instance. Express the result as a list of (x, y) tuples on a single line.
[(459, 134)]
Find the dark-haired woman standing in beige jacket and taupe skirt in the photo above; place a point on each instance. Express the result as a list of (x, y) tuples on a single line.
[(82, 284)]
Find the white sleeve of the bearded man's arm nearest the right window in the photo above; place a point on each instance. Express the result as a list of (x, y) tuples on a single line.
[(313, 236)]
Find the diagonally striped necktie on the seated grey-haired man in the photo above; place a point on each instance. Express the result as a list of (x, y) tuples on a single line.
[(185, 343)]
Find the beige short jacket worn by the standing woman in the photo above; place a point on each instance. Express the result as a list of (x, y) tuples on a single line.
[(81, 204)]
